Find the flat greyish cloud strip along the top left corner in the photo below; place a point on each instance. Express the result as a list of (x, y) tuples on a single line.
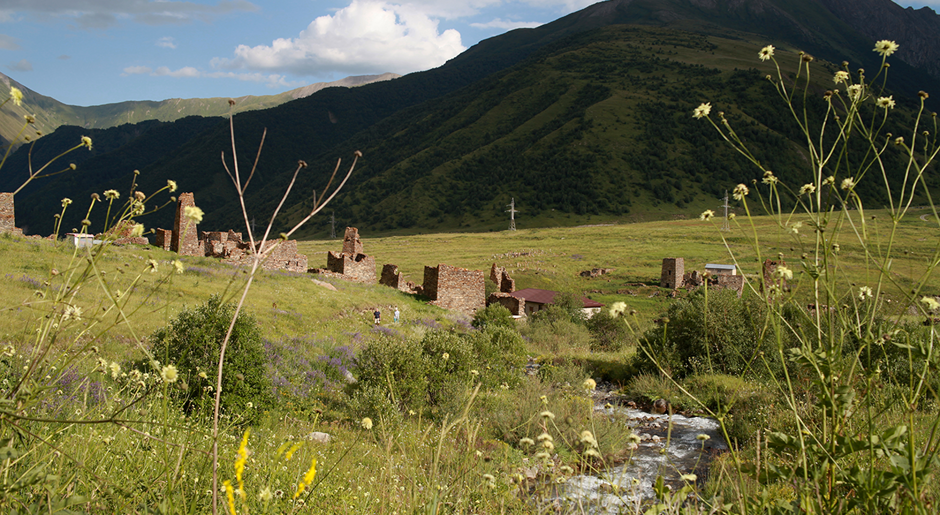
[(101, 14)]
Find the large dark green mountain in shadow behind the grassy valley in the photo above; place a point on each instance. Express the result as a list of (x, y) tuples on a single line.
[(584, 118)]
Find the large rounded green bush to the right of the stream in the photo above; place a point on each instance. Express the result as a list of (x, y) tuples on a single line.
[(731, 342)]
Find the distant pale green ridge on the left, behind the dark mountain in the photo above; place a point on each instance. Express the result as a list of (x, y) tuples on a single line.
[(50, 113)]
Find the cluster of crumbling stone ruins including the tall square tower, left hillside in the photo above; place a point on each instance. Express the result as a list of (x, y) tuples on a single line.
[(227, 246)]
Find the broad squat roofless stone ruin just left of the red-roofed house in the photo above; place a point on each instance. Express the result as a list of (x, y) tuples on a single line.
[(455, 288)]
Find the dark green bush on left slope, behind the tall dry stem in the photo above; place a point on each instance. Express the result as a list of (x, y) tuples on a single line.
[(192, 343)]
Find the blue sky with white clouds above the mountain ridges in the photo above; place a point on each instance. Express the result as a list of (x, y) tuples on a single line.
[(93, 52)]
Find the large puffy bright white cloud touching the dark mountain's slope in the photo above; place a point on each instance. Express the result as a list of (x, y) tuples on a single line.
[(368, 36)]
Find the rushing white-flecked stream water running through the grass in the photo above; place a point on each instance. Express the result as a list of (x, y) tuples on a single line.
[(669, 447)]
